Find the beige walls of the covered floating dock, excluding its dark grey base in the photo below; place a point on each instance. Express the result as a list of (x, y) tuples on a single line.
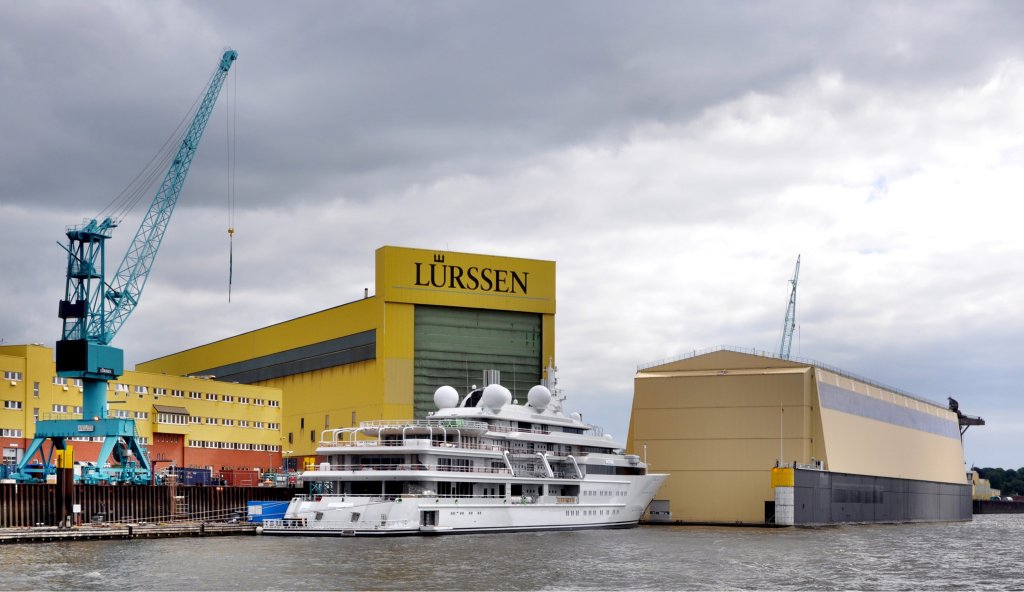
[(718, 422)]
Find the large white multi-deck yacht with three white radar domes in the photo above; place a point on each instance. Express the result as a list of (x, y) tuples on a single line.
[(480, 464)]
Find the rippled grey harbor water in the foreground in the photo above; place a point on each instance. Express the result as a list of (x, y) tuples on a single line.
[(985, 555)]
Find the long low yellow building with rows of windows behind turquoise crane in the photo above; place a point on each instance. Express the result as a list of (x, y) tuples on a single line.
[(189, 422)]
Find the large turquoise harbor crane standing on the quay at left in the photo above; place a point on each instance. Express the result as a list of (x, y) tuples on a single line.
[(95, 310)]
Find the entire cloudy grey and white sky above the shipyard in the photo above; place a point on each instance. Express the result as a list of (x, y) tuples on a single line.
[(674, 158)]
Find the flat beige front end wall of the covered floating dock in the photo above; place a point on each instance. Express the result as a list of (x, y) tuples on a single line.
[(718, 427)]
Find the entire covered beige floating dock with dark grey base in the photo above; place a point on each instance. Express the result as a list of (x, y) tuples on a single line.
[(847, 450)]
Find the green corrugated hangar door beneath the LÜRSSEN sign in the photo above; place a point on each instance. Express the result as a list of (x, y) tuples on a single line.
[(454, 347)]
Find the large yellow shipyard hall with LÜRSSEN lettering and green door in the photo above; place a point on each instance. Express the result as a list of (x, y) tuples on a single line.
[(437, 318)]
